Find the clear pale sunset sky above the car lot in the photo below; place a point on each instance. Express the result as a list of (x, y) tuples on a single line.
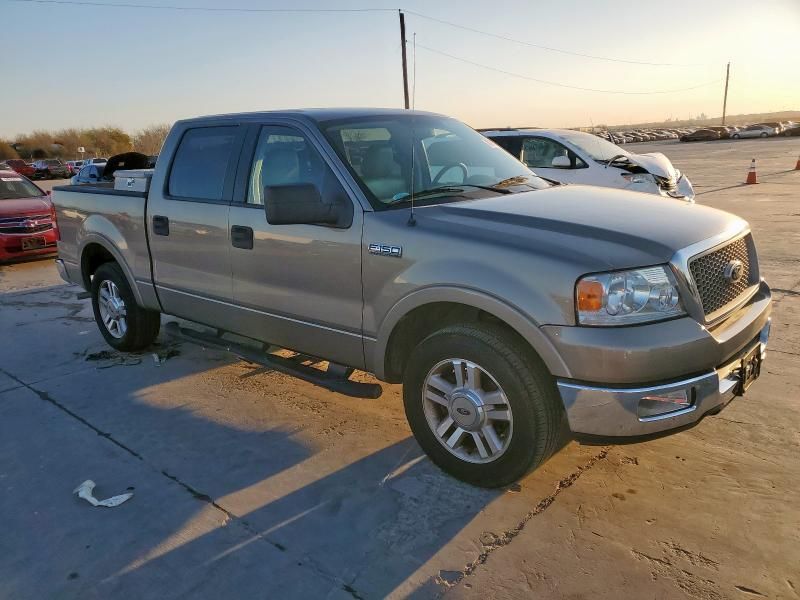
[(83, 65)]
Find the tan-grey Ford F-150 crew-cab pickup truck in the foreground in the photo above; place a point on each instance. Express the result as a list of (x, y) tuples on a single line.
[(407, 245)]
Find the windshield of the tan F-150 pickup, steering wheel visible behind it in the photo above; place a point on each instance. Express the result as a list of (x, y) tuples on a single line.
[(447, 155)]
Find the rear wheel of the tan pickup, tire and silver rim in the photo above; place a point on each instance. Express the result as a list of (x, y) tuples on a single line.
[(124, 324)]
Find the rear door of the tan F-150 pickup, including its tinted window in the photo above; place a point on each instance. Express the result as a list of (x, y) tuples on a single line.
[(188, 224)]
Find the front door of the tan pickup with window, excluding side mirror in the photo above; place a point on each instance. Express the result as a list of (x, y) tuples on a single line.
[(296, 286)]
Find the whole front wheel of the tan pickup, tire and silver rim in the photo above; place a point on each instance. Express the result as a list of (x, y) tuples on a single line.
[(481, 405)]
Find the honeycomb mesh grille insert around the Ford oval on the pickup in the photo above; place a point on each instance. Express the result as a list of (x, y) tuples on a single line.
[(708, 271)]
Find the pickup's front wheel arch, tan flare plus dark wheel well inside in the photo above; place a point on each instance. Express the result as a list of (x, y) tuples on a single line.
[(413, 319)]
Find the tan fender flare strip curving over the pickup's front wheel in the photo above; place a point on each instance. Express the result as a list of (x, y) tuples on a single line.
[(513, 317)]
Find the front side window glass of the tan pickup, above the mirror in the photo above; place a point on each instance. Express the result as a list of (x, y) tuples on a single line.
[(283, 156)]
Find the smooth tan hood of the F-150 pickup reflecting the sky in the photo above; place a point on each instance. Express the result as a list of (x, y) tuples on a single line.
[(591, 227)]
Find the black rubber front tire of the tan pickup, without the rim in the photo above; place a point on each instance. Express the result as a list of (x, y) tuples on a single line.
[(538, 415)]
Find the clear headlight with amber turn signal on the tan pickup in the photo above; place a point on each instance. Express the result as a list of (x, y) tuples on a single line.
[(627, 297)]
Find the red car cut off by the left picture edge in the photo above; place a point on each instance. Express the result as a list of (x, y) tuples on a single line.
[(27, 219)]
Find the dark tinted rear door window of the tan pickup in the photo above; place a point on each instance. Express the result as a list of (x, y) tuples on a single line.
[(201, 163)]
